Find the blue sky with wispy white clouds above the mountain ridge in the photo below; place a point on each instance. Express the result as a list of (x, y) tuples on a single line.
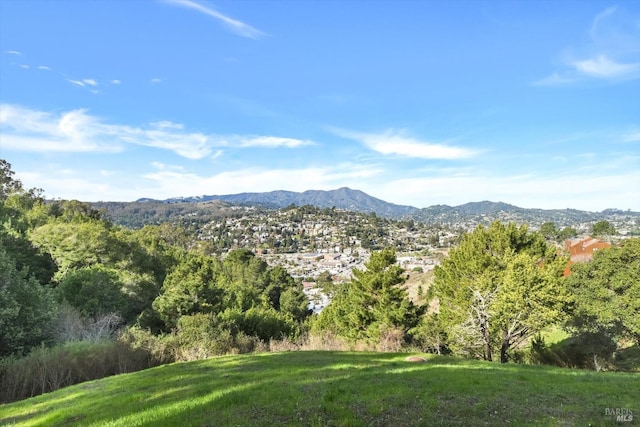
[(534, 103)]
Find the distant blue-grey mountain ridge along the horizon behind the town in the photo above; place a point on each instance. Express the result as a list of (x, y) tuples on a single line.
[(205, 208)]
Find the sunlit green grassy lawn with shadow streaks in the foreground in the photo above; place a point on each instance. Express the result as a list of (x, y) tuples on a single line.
[(337, 389)]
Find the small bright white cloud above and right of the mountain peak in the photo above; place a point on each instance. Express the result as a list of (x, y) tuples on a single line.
[(394, 143)]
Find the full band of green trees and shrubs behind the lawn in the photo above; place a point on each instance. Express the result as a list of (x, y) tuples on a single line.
[(82, 298)]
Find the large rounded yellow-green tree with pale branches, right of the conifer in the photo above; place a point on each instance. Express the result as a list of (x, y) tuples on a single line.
[(499, 287)]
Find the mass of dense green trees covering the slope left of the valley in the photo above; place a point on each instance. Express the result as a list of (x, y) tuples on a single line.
[(66, 271)]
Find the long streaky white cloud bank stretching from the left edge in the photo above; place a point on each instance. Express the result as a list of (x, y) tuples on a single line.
[(24, 129)]
